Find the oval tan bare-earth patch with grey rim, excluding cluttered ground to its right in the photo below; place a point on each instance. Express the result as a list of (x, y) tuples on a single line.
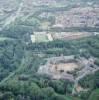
[(59, 67)]
